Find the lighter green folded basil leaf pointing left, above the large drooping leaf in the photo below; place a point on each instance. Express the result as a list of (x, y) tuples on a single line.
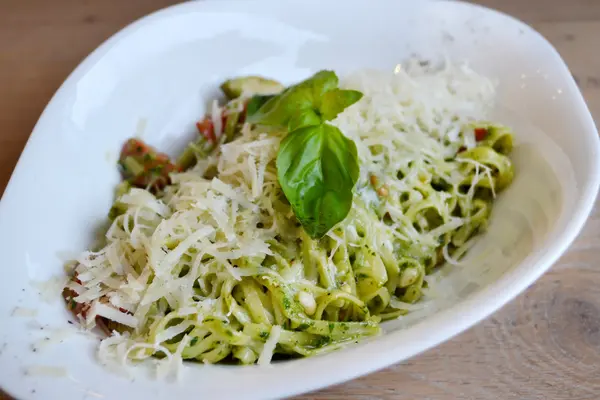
[(296, 100)]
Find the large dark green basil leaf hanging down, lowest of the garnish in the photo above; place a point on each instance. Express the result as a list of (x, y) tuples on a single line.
[(317, 167)]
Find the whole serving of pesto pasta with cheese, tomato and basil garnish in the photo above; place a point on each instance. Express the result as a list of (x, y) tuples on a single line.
[(298, 220)]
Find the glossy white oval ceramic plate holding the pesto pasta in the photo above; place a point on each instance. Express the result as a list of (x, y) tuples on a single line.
[(154, 77)]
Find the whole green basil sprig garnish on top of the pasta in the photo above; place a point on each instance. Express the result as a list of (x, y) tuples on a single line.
[(317, 166)]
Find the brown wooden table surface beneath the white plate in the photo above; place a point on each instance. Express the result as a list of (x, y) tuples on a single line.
[(543, 345)]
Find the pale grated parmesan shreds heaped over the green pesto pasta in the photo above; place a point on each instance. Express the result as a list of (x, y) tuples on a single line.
[(162, 252)]
